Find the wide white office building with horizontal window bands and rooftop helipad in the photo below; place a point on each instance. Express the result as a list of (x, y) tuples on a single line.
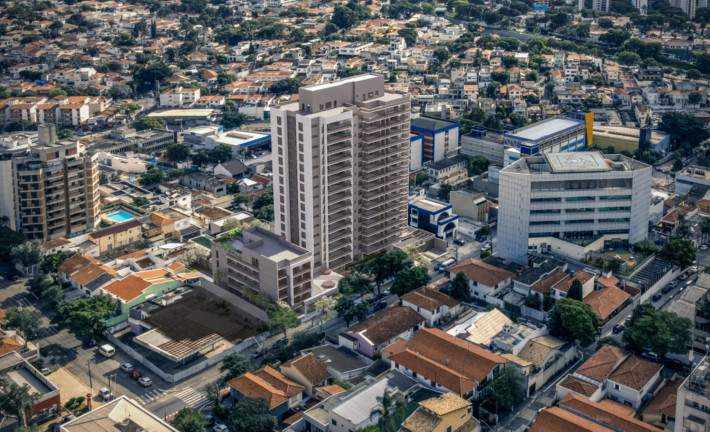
[(571, 203)]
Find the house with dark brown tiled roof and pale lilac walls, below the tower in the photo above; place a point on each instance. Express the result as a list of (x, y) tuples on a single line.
[(369, 337)]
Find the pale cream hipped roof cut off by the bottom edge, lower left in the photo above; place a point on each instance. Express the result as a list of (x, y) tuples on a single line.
[(120, 414)]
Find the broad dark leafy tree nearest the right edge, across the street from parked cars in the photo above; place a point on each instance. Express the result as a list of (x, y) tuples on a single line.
[(662, 331)]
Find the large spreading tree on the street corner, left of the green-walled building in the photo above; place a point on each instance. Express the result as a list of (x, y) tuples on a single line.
[(85, 317)]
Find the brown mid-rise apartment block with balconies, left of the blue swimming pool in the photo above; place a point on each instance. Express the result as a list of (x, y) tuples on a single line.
[(55, 185)]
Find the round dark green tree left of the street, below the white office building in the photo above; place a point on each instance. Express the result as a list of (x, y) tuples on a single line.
[(573, 320)]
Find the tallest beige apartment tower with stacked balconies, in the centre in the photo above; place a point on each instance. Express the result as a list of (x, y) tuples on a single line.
[(341, 159)]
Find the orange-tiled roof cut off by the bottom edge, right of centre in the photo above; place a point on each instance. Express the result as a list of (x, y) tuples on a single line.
[(578, 414)]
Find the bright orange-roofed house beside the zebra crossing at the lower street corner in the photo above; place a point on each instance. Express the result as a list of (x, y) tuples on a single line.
[(279, 392)]
